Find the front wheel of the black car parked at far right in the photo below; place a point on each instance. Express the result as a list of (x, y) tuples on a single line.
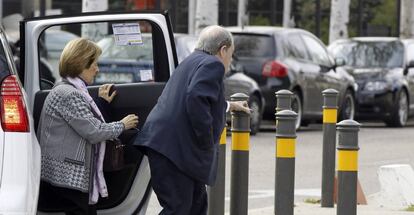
[(399, 116)]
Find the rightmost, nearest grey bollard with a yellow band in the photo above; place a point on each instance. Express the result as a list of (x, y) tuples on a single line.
[(347, 167)]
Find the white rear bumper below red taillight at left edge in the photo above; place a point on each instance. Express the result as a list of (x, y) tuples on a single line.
[(19, 189)]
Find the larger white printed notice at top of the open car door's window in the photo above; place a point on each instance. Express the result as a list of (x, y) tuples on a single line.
[(127, 34)]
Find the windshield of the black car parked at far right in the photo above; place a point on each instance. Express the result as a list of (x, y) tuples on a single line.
[(366, 54)]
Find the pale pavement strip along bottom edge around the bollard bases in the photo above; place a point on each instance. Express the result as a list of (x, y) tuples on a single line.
[(315, 209)]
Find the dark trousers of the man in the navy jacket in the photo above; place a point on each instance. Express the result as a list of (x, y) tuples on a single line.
[(177, 193)]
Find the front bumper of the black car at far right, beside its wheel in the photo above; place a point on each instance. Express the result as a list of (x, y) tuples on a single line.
[(375, 106)]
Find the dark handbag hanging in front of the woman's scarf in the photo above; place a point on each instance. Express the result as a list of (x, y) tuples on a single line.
[(114, 155)]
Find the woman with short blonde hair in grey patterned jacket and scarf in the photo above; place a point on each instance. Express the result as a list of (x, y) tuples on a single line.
[(72, 131)]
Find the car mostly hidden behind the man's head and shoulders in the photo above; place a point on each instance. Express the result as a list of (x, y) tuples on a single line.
[(235, 81)]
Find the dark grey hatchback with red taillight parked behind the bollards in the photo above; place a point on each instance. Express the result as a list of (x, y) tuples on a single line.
[(294, 59)]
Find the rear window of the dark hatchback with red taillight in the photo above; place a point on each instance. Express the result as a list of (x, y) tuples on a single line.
[(254, 45)]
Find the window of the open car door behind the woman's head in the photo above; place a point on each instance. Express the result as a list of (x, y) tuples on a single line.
[(127, 51)]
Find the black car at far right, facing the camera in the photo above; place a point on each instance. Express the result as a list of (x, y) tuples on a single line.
[(383, 69)]
